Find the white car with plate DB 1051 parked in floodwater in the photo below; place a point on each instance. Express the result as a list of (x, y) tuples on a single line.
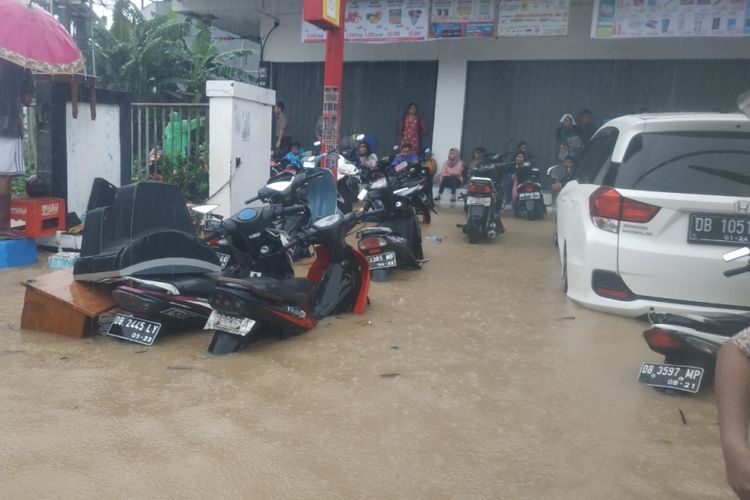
[(656, 201)]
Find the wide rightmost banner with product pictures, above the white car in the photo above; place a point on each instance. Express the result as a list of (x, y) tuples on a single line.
[(665, 18)]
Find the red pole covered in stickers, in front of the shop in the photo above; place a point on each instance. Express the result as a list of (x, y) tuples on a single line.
[(332, 87)]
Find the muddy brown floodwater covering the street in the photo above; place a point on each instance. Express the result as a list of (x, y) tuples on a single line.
[(472, 378)]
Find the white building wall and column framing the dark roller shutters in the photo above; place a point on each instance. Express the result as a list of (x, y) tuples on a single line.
[(285, 45)]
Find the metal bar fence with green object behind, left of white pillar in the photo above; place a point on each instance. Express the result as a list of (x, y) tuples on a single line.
[(166, 131)]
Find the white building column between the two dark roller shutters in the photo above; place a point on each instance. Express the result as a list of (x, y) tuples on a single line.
[(449, 105)]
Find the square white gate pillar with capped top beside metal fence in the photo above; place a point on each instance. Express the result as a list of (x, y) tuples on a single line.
[(240, 142)]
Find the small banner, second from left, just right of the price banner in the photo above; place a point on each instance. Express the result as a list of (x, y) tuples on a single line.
[(462, 18)]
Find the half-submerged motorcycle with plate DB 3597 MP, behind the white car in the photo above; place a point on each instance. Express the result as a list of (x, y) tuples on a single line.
[(690, 343)]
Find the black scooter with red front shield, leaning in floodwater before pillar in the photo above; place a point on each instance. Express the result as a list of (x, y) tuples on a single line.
[(252, 308)]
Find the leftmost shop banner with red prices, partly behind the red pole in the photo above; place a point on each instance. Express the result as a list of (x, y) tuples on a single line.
[(379, 21)]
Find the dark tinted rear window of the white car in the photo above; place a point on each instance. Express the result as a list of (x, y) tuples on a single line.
[(688, 162)]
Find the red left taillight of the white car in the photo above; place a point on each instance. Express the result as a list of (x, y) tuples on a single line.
[(608, 207)]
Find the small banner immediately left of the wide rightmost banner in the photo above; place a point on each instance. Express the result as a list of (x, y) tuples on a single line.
[(533, 17)]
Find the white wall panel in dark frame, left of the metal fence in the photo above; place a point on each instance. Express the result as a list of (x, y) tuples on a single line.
[(93, 151)]
